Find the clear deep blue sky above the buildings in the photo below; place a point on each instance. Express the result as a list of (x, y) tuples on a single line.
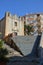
[(20, 7)]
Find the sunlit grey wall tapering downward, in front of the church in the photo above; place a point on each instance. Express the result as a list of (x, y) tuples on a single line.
[(25, 43)]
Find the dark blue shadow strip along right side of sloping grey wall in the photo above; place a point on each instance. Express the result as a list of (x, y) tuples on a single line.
[(35, 50)]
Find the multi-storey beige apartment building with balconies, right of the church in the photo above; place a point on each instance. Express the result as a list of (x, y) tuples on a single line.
[(35, 20)]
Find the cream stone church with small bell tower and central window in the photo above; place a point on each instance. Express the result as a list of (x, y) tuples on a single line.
[(11, 24)]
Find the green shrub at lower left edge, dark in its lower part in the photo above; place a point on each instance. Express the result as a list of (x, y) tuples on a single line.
[(3, 52)]
